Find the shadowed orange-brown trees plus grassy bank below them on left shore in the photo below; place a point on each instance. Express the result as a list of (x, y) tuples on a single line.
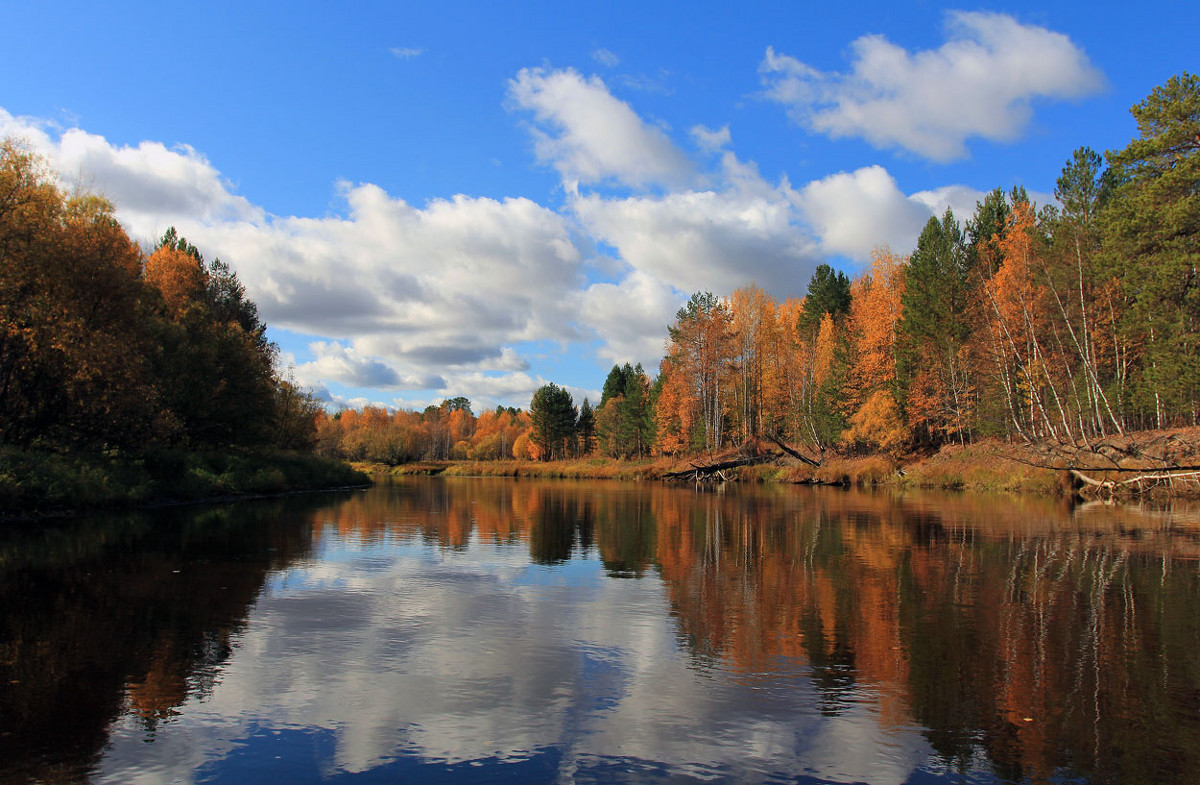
[(134, 376)]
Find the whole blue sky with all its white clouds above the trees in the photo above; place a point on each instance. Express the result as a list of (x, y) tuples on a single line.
[(440, 200)]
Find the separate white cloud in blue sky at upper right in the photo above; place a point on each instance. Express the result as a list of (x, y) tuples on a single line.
[(981, 83)]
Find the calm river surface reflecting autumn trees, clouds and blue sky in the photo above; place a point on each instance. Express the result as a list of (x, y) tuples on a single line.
[(524, 632)]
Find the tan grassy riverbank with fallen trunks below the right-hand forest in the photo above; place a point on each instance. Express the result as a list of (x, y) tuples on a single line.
[(989, 466)]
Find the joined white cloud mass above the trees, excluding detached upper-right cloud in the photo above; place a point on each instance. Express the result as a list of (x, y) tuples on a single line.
[(442, 298)]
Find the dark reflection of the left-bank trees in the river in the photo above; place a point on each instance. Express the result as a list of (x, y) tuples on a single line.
[(128, 616)]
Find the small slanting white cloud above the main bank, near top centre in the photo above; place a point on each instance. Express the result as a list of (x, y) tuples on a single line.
[(591, 136)]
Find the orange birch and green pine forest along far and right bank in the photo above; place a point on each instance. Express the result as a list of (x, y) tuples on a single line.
[(1036, 323)]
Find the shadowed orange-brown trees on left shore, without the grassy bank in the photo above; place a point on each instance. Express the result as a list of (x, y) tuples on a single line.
[(106, 347)]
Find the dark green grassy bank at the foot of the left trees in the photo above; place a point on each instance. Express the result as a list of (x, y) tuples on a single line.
[(40, 482)]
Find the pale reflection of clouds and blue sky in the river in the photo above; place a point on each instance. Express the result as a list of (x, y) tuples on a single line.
[(394, 660)]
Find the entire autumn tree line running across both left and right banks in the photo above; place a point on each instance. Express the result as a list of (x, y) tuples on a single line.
[(1054, 323)]
